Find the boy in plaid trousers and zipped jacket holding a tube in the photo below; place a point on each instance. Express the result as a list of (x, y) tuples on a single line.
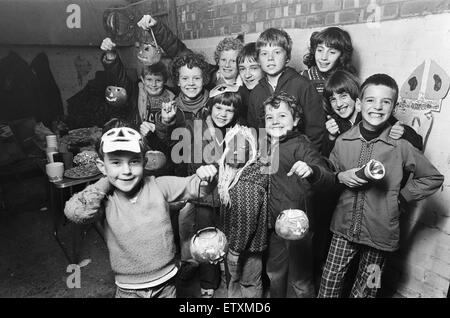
[(366, 219)]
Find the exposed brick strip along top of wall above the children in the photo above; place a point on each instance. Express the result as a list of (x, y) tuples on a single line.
[(207, 18)]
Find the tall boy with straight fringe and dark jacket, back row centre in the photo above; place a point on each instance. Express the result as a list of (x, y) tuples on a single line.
[(274, 48)]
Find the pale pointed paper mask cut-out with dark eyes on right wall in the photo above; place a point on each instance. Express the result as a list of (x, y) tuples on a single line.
[(421, 95)]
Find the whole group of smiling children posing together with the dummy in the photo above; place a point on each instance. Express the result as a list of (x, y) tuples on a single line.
[(314, 131)]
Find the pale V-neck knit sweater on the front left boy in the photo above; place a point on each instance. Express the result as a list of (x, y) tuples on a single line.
[(139, 235)]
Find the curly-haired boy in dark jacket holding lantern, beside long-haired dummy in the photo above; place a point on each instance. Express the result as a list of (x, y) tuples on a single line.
[(297, 169)]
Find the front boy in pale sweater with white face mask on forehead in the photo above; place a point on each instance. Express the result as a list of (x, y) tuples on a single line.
[(135, 209)]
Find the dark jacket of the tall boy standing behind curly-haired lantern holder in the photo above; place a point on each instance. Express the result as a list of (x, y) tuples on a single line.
[(313, 118)]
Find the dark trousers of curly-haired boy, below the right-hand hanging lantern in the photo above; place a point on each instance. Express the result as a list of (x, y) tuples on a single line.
[(290, 267)]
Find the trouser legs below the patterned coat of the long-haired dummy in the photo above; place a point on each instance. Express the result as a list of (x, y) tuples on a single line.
[(245, 271)]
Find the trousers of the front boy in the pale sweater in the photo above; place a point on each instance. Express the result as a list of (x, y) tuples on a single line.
[(165, 290)]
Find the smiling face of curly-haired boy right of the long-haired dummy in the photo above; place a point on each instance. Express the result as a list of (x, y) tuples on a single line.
[(279, 120)]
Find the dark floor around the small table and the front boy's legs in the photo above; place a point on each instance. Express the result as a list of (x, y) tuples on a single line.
[(32, 264)]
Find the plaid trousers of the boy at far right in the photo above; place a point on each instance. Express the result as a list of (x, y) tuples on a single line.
[(368, 277)]
